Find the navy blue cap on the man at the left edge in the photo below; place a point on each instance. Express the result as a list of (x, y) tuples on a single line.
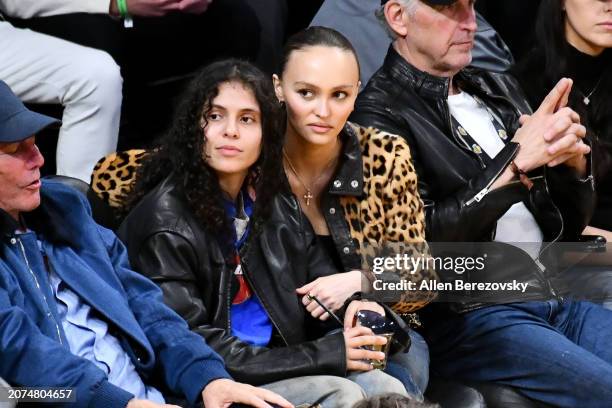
[(16, 121)]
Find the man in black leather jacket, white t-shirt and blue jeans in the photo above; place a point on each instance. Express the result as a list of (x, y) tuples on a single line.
[(499, 176)]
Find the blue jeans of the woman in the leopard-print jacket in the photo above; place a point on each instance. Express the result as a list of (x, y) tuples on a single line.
[(412, 367)]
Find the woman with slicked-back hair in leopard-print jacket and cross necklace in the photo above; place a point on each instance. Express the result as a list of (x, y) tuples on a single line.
[(356, 186)]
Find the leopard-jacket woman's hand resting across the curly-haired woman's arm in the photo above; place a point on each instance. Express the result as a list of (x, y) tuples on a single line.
[(332, 291)]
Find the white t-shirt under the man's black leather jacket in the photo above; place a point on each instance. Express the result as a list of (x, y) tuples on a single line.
[(517, 225)]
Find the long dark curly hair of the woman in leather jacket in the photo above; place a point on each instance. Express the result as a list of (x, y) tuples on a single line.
[(180, 151)]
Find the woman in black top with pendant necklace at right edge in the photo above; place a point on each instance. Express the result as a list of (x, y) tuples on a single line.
[(573, 39)]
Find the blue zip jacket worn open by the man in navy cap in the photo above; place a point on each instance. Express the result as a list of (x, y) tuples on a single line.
[(93, 263)]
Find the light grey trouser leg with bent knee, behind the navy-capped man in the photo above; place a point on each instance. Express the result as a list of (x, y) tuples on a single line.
[(86, 82)]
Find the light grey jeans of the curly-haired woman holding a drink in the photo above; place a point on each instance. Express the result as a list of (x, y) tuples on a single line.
[(335, 392)]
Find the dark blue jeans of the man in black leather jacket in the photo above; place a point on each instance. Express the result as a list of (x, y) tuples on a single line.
[(555, 352)]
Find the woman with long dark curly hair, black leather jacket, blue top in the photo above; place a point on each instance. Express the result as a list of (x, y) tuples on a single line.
[(213, 224)]
